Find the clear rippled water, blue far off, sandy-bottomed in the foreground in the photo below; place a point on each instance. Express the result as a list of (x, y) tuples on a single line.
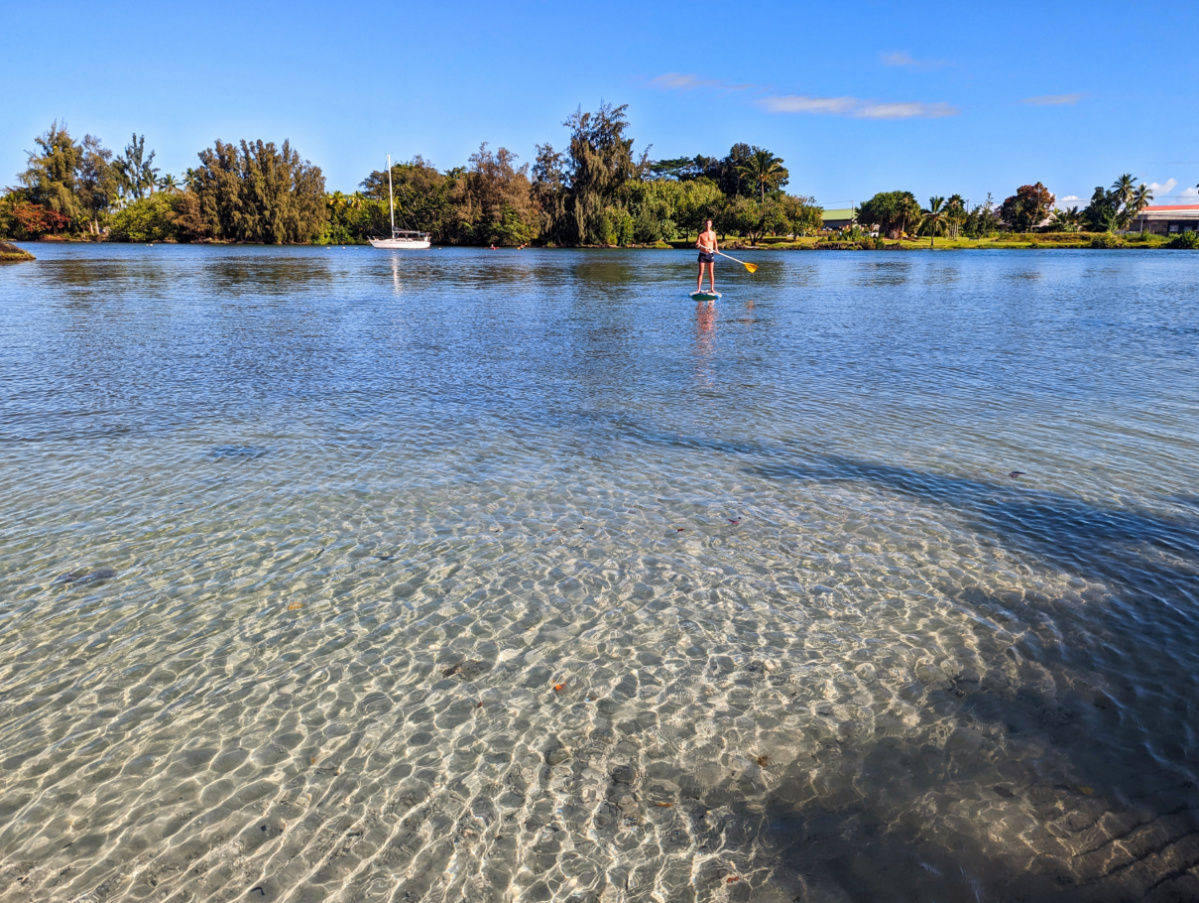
[(330, 575)]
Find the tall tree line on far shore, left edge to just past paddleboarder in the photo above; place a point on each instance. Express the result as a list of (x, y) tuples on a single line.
[(594, 191)]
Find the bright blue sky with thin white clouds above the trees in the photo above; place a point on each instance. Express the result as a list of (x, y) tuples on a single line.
[(857, 98)]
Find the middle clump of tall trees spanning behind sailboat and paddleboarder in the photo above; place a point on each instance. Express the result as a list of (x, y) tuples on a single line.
[(595, 192)]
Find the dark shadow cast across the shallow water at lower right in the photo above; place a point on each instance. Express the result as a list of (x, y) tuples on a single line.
[(1102, 805)]
